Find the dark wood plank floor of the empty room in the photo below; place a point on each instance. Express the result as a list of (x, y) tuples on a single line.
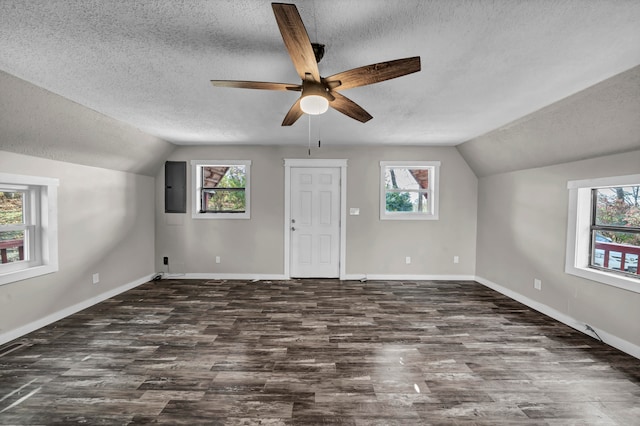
[(314, 352)]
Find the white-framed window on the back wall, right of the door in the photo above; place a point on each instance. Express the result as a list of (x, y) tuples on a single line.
[(409, 190)]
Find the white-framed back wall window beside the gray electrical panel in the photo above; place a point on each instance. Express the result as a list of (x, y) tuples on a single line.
[(221, 189)]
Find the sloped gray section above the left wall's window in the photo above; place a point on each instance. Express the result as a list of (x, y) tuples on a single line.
[(36, 122)]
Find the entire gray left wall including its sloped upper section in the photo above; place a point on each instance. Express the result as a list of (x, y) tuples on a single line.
[(105, 199)]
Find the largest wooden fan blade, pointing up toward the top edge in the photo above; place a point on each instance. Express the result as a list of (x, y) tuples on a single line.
[(296, 39)]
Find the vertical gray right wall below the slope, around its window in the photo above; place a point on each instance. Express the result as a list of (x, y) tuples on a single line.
[(522, 228)]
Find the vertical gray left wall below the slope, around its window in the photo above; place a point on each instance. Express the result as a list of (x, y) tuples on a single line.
[(105, 226)]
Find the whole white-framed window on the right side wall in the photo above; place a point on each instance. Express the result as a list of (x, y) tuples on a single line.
[(603, 236)]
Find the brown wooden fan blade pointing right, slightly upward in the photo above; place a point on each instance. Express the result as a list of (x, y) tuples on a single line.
[(374, 73)]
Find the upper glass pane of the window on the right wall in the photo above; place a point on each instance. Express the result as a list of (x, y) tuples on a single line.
[(618, 206)]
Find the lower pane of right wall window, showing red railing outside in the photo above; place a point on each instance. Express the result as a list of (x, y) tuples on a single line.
[(616, 250)]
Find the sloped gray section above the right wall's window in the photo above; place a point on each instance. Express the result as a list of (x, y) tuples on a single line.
[(603, 119)]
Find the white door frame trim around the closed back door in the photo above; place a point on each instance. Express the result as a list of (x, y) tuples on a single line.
[(335, 163)]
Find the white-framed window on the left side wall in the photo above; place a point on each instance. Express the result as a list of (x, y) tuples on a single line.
[(28, 227)]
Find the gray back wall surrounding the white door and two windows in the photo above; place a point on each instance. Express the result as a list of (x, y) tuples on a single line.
[(377, 247)]
